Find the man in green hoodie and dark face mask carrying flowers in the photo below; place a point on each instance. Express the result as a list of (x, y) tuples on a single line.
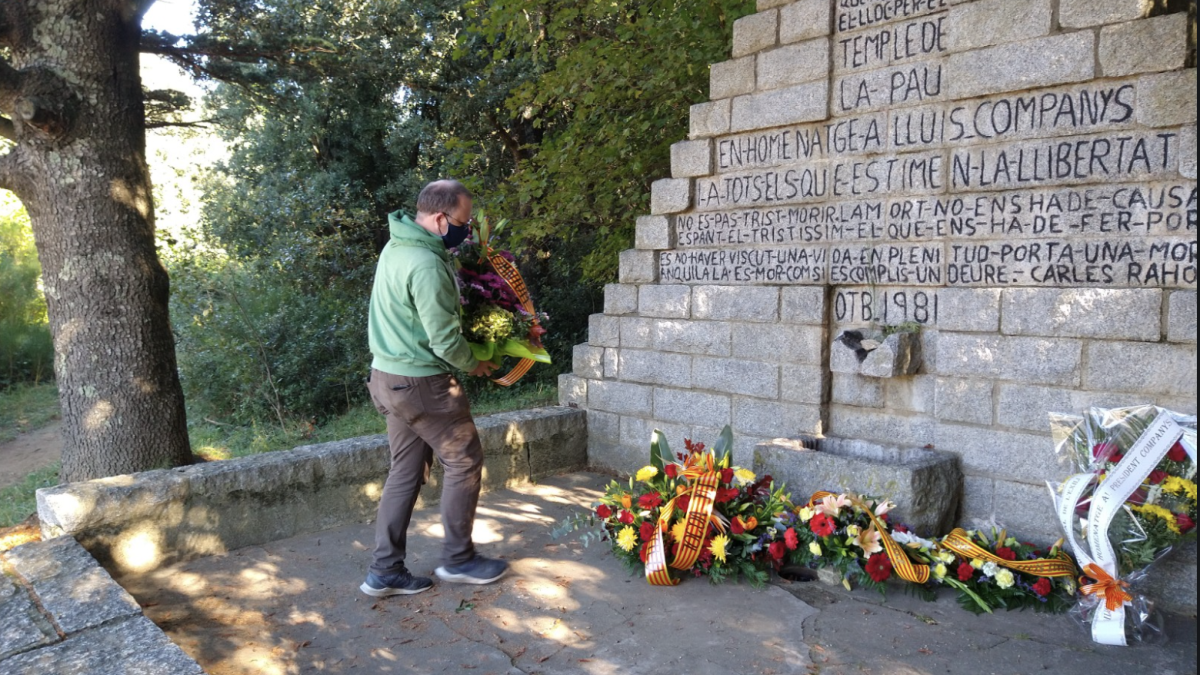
[(416, 337)]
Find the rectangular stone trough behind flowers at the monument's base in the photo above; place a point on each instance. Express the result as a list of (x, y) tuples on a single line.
[(925, 485)]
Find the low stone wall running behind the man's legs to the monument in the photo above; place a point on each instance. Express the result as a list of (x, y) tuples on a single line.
[(134, 524)]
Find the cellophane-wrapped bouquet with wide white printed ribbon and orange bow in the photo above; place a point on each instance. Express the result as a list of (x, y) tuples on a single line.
[(1132, 501)]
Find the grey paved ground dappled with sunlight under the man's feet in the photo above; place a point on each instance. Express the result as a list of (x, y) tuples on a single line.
[(293, 607)]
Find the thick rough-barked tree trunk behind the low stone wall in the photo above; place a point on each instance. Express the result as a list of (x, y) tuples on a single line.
[(80, 169)]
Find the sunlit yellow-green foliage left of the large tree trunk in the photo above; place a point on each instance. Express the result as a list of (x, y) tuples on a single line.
[(27, 354)]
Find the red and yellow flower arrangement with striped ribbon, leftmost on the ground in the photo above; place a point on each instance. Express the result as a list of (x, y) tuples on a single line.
[(697, 511)]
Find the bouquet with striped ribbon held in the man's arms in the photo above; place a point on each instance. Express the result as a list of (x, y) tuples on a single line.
[(499, 319)]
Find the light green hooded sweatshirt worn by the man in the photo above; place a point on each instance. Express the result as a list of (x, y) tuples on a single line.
[(413, 326)]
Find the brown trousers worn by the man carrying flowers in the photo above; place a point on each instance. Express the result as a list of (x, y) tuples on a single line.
[(427, 417)]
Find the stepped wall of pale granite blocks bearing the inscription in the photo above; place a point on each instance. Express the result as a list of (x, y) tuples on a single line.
[(1013, 178)]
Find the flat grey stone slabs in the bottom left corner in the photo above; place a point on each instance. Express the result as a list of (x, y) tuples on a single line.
[(62, 613)]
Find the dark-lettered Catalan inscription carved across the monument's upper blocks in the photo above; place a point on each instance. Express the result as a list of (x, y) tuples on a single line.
[(904, 190)]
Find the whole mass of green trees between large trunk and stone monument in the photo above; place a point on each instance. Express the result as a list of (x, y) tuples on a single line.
[(337, 114)]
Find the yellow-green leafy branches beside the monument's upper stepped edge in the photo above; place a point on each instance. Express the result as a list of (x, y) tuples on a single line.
[(607, 89)]
